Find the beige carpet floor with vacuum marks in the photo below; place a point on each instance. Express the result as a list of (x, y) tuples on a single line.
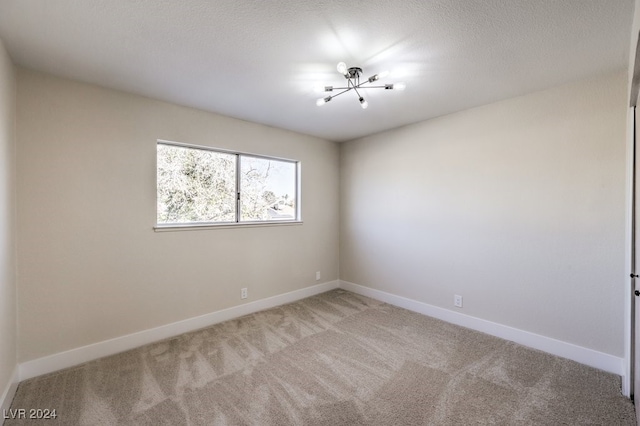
[(332, 359)]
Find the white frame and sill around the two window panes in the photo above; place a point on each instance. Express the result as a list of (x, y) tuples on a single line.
[(238, 223)]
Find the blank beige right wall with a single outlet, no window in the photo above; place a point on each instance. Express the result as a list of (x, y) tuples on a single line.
[(518, 206)]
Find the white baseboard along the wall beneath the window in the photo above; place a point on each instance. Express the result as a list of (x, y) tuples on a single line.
[(94, 351)]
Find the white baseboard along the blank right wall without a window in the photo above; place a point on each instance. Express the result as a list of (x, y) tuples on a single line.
[(600, 360)]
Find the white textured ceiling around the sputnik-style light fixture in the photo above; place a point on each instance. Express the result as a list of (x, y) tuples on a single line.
[(260, 60)]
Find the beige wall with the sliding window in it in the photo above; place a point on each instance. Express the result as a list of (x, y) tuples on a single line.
[(91, 266)]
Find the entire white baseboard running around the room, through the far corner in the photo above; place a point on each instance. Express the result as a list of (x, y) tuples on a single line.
[(77, 356)]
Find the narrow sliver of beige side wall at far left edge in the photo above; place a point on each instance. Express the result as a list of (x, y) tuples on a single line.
[(8, 328)]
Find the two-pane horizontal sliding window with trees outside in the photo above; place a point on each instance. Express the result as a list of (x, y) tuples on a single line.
[(202, 186)]
